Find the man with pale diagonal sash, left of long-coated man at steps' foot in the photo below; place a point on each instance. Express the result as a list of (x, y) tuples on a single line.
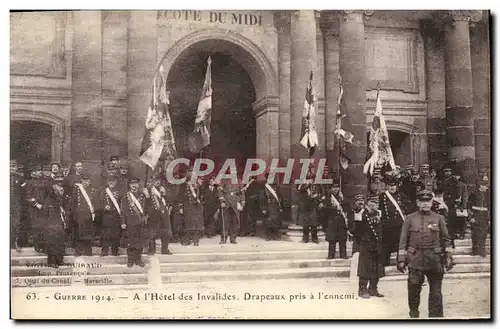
[(336, 221)]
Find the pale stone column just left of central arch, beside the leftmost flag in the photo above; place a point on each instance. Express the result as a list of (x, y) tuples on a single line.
[(142, 63)]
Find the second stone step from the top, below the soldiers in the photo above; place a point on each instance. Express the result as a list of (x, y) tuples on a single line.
[(205, 256)]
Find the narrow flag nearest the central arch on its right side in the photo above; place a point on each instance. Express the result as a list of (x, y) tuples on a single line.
[(309, 138)]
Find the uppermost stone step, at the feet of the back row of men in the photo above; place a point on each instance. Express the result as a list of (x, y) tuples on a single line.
[(211, 245)]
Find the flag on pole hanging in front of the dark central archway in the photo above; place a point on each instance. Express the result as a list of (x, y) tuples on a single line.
[(200, 137)]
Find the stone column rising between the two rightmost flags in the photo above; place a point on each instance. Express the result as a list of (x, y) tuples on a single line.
[(352, 71)]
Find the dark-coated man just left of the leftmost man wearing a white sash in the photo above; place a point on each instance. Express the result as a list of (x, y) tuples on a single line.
[(55, 221)]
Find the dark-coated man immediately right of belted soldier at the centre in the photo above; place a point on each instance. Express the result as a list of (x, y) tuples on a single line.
[(252, 192)]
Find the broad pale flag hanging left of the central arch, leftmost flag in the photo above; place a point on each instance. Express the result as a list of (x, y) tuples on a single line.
[(158, 141)]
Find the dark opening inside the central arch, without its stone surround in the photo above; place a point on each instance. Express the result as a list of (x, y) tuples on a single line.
[(233, 121)]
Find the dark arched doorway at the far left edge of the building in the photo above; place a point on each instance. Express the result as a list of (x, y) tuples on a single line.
[(31, 142)]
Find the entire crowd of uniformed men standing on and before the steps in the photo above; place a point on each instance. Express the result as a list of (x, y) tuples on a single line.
[(416, 214)]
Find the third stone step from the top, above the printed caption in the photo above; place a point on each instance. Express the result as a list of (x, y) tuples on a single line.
[(168, 267)]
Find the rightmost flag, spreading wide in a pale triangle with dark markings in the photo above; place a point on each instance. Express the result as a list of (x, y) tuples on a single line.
[(379, 148)]
